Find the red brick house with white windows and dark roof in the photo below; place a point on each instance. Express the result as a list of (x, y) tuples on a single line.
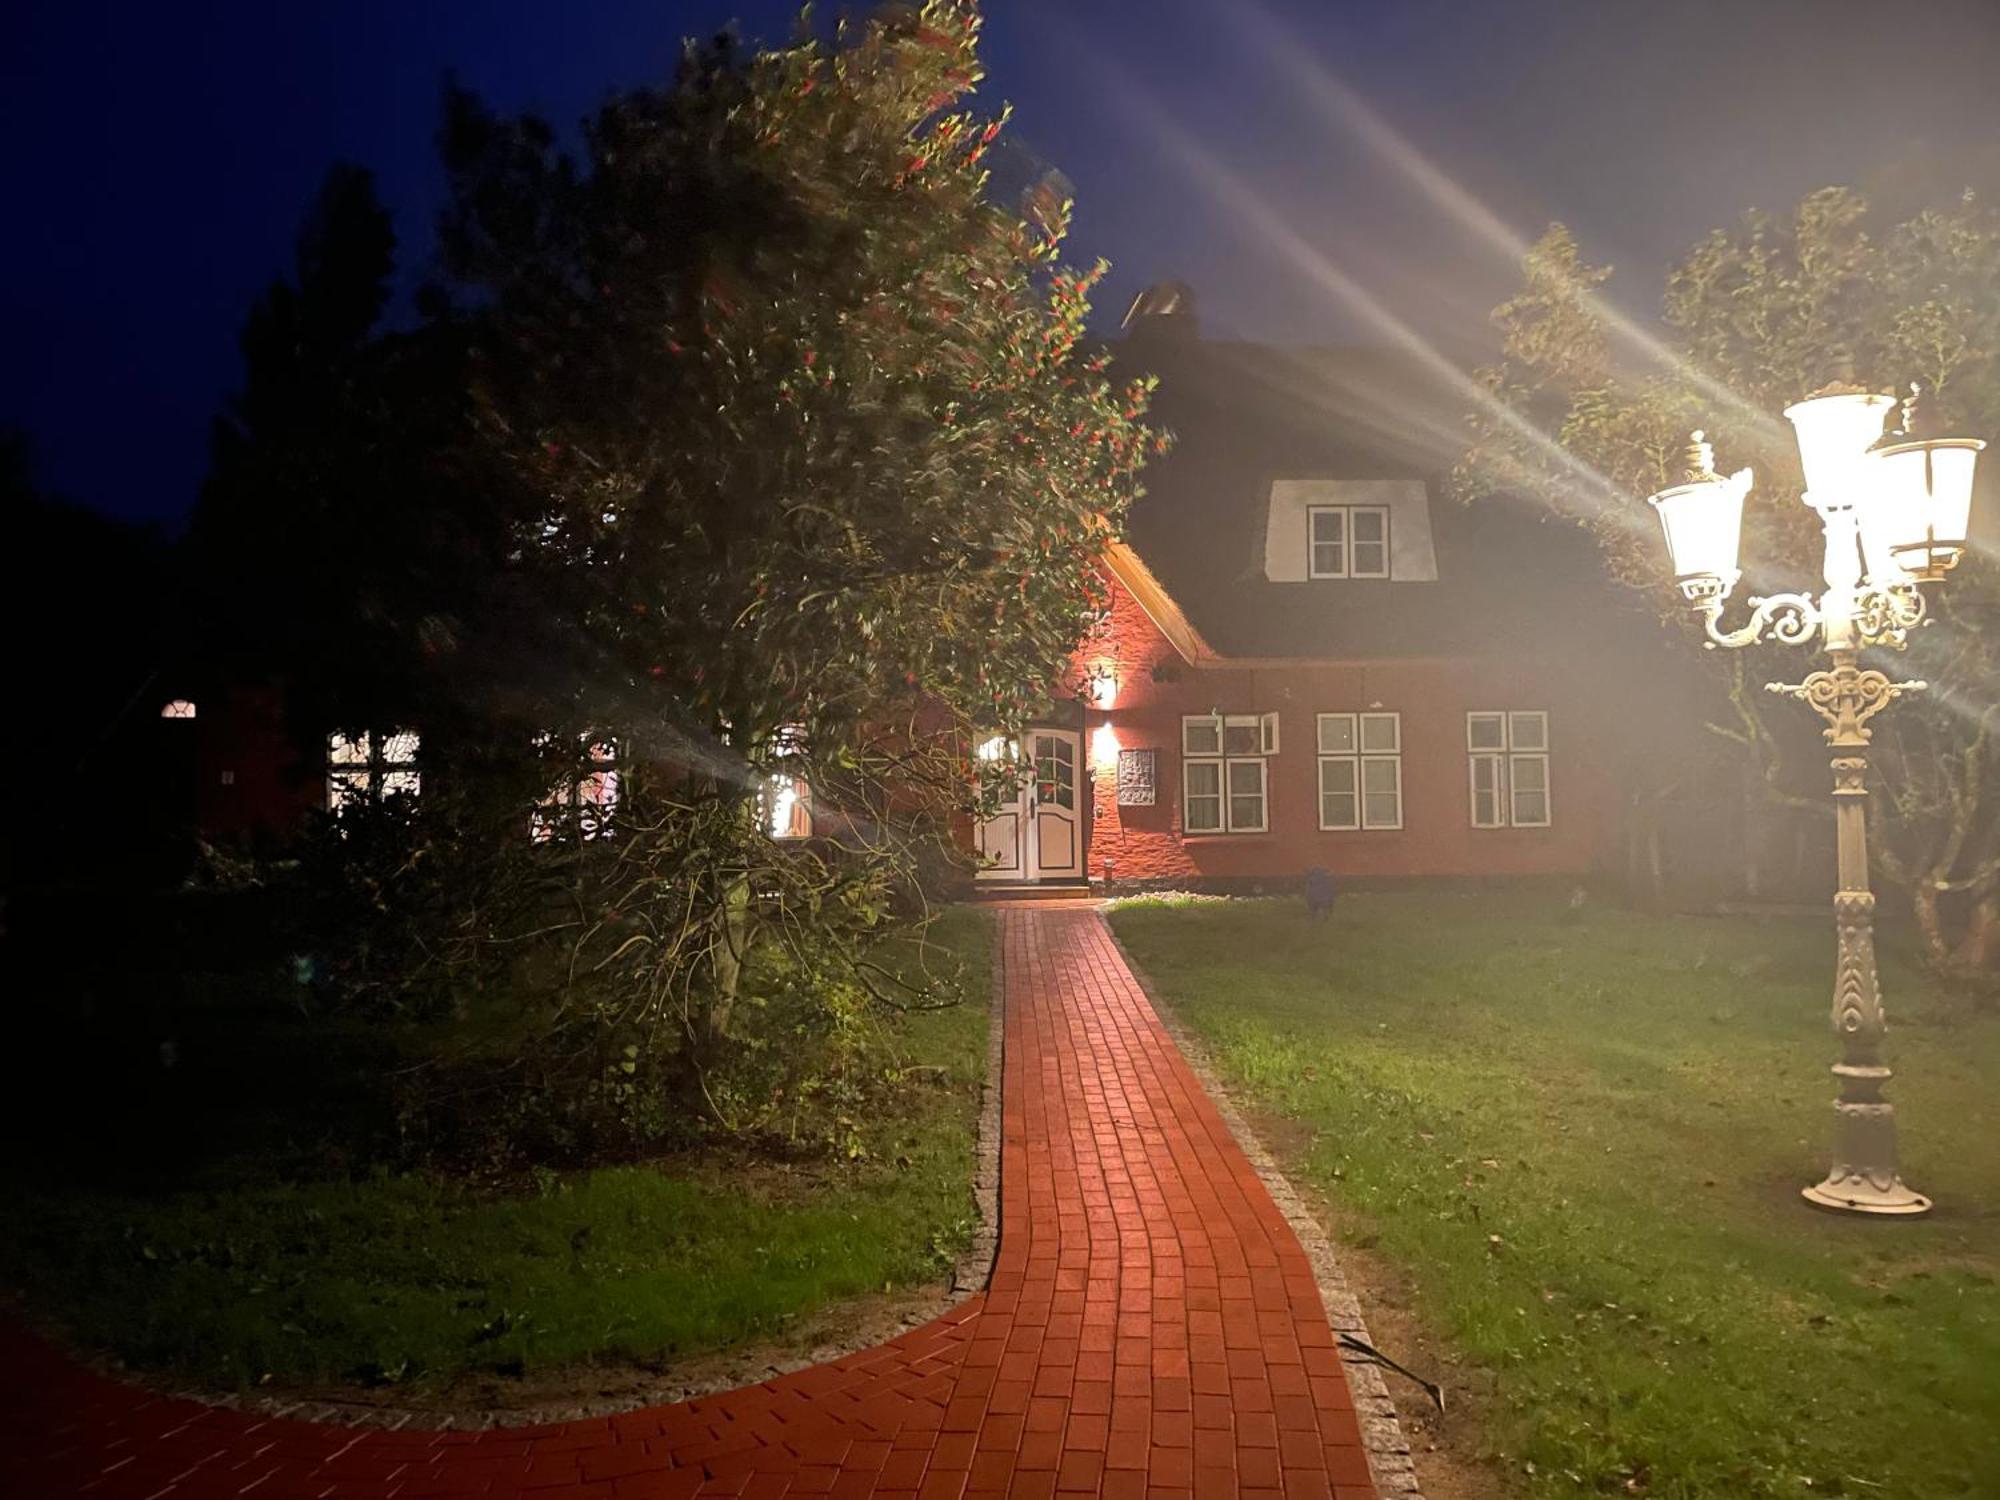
[(1313, 657)]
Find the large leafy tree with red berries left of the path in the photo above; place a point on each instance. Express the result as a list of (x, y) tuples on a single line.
[(807, 469)]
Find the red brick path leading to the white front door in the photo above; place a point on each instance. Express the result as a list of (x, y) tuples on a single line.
[(1153, 1329)]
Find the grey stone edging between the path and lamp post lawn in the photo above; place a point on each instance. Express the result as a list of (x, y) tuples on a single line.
[(1383, 1439)]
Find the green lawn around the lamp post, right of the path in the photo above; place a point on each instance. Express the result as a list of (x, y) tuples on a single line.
[(1583, 1137)]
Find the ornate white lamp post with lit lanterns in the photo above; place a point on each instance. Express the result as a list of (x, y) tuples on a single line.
[(1895, 511)]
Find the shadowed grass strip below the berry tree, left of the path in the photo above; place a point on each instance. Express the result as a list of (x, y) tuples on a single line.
[(409, 1279)]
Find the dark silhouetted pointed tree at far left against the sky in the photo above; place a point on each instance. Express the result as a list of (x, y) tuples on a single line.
[(343, 527)]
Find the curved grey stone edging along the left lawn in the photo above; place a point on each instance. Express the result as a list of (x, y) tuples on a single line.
[(971, 1275)]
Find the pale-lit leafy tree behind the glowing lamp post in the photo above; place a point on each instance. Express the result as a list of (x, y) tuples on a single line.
[(1757, 317)]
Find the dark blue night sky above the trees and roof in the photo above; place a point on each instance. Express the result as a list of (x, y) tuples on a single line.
[(155, 159)]
